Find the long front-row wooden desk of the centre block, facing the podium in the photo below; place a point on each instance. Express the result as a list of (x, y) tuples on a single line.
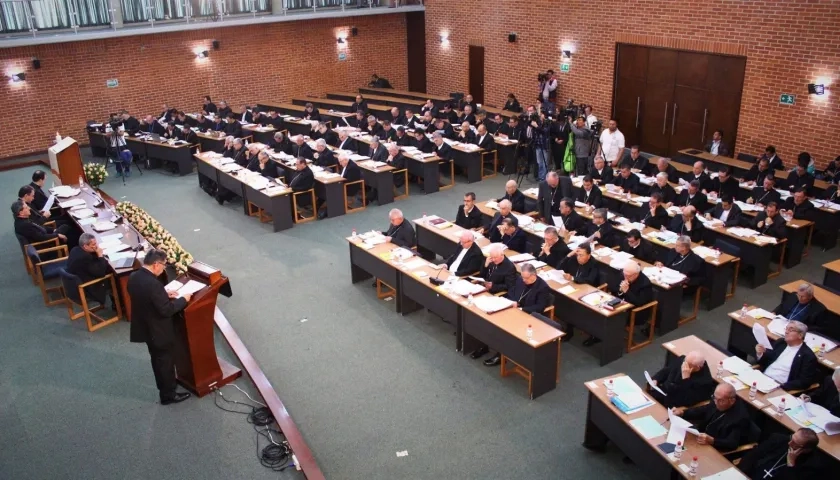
[(504, 331)]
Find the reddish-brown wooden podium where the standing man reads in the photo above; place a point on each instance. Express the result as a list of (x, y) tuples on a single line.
[(198, 368)]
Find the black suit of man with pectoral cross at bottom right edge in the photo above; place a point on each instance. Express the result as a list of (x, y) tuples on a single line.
[(766, 455)]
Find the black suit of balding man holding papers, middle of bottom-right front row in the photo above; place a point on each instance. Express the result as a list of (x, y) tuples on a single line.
[(730, 429)]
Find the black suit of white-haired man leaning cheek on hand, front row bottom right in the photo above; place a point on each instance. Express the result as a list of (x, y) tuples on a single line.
[(681, 392)]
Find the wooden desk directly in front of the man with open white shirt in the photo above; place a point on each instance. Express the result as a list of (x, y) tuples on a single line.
[(830, 444)]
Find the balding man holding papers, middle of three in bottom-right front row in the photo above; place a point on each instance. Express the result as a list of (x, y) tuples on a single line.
[(725, 421)]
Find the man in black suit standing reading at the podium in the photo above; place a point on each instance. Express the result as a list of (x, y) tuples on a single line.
[(152, 308)]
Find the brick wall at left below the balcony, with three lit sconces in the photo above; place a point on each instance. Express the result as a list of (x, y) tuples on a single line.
[(263, 62)]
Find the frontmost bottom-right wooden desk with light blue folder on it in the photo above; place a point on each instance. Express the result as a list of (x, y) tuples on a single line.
[(605, 422)]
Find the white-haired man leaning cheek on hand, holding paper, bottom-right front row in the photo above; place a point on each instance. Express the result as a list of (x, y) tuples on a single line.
[(684, 382)]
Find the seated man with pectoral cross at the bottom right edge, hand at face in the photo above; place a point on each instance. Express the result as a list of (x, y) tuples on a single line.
[(785, 457)]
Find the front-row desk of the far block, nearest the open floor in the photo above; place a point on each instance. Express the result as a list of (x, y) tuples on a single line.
[(277, 203)]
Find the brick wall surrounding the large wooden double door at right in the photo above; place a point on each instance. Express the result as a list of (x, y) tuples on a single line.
[(788, 44)]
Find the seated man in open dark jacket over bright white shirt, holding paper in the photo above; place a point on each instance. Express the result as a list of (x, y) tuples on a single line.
[(790, 362)]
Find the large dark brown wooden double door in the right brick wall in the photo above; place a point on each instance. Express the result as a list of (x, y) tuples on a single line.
[(667, 100)]
